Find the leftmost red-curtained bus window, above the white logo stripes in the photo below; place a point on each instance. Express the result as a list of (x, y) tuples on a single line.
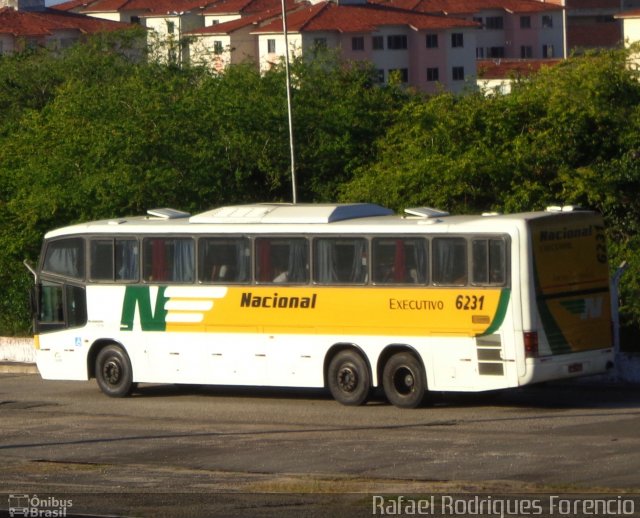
[(168, 259)]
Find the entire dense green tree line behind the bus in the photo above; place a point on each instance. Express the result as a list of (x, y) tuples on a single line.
[(92, 133)]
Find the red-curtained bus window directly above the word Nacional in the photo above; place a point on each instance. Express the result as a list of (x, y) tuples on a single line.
[(282, 260)]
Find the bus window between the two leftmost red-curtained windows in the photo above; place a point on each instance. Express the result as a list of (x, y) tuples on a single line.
[(223, 260)]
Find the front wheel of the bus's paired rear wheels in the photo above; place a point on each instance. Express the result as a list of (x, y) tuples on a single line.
[(348, 378)]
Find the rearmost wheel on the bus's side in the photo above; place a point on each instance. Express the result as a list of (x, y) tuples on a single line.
[(404, 381)]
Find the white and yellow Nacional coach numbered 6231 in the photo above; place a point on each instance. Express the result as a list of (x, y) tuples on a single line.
[(348, 297)]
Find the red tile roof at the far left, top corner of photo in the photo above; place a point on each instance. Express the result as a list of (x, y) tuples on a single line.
[(43, 23)]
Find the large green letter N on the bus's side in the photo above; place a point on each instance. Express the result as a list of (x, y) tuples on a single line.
[(140, 297)]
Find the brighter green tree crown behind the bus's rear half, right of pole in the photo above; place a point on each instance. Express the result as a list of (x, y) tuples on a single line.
[(568, 135)]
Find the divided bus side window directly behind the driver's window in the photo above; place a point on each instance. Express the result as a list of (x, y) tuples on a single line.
[(104, 254)]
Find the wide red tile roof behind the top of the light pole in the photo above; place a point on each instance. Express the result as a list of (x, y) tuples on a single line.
[(327, 16)]
